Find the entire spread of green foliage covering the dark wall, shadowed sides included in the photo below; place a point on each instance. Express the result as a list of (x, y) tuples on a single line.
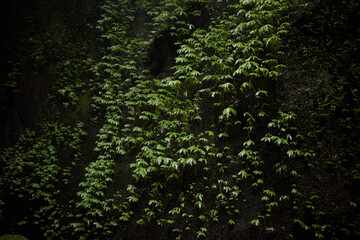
[(203, 141)]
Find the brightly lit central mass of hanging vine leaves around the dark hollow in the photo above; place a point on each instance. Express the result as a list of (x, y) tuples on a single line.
[(216, 70)]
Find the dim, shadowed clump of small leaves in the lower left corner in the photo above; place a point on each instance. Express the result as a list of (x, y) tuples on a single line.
[(31, 171)]
